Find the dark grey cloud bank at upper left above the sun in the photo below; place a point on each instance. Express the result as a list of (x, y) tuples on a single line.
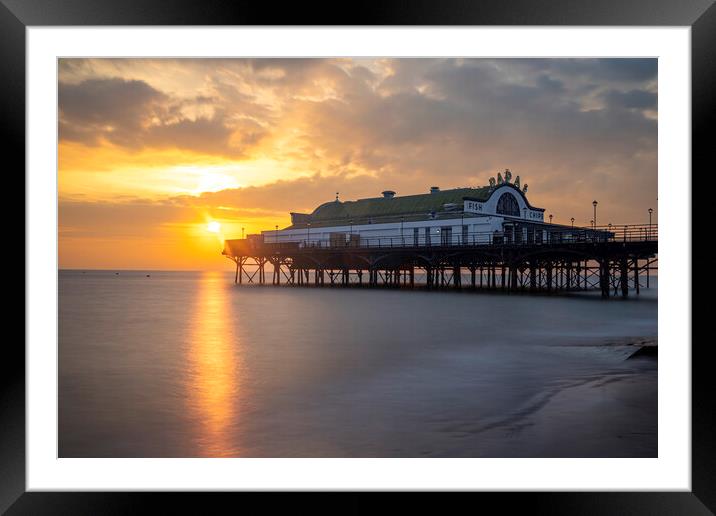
[(134, 115)]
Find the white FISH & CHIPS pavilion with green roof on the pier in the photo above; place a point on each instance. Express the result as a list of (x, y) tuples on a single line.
[(489, 214)]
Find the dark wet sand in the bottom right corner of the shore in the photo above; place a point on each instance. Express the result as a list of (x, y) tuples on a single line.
[(609, 415)]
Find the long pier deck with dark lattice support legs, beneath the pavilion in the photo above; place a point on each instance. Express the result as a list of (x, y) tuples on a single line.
[(612, 259)]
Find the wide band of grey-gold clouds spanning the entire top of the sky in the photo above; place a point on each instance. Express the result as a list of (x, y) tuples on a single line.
[(370, 114)]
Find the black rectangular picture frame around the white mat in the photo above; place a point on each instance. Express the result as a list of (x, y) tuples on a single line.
[(700, 15)]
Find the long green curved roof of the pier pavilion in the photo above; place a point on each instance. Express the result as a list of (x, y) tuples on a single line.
[(381, 209)]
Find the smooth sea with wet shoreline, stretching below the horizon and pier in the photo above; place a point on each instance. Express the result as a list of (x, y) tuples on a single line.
[(187, 364)]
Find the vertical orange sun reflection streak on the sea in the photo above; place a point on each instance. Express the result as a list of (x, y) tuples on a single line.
[(213, 385)]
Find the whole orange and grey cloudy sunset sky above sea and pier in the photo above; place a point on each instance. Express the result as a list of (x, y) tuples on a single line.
[(152, 151)]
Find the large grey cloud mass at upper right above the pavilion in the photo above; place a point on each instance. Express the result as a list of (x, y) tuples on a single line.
[(464, 120)]
